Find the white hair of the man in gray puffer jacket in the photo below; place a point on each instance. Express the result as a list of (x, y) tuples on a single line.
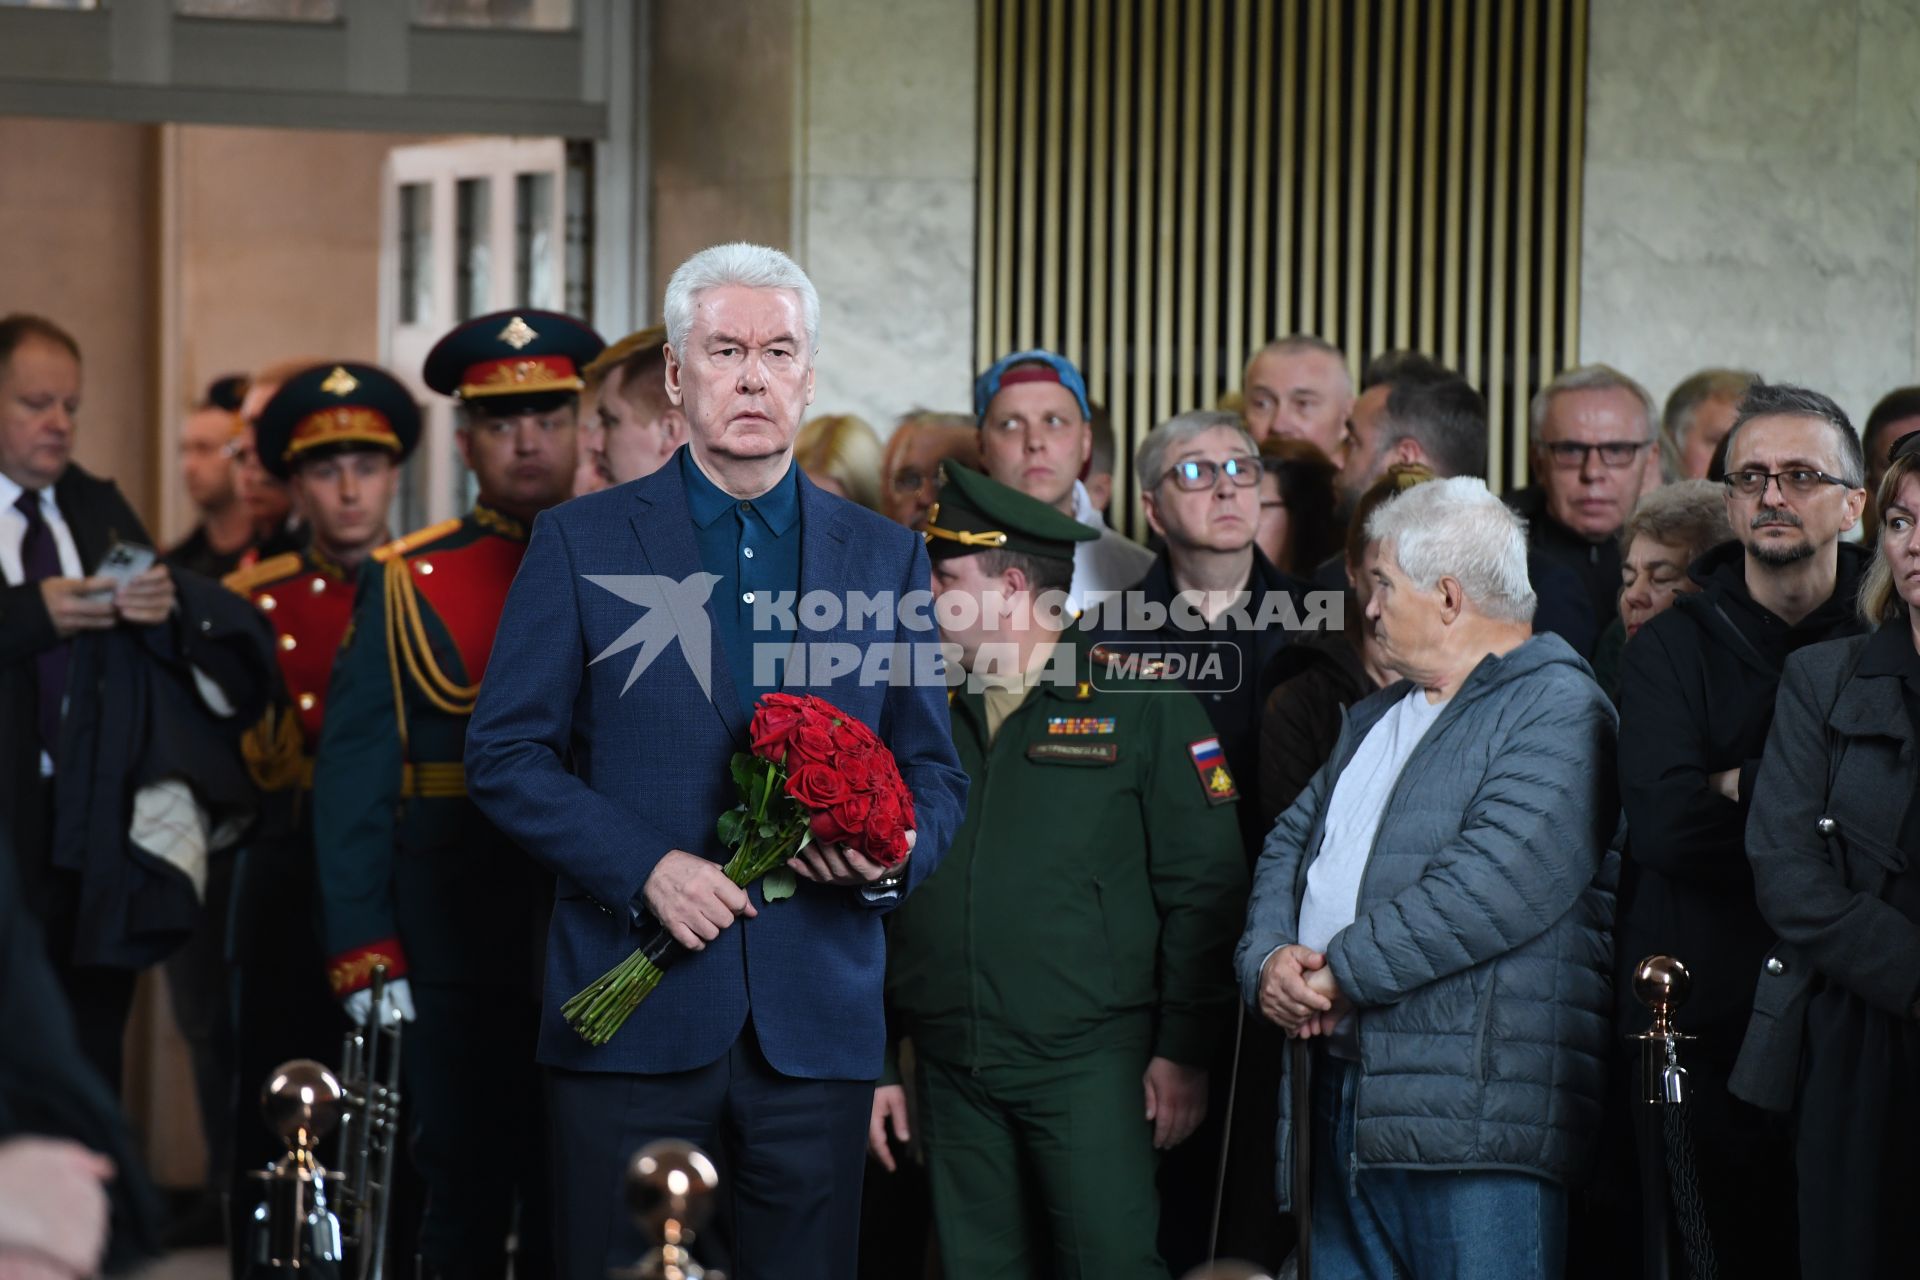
[(1456, 529)]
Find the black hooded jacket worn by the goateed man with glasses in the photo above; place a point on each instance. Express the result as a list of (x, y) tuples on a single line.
[(1698, 698)]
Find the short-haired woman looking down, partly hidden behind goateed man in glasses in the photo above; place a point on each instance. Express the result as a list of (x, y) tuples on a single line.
[(1671, 529)]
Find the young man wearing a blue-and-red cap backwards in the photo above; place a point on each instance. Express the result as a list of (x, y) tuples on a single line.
[(1036, 435)]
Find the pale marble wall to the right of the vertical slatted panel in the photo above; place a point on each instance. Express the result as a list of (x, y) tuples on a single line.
[(1754, 191)]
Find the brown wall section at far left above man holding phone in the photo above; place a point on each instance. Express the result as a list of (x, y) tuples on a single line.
[(78, 247)]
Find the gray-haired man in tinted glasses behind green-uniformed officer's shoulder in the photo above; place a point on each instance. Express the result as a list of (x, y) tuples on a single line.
[(1201, 488)]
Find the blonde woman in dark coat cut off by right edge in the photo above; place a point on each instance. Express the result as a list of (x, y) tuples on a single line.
[(1835, 841)]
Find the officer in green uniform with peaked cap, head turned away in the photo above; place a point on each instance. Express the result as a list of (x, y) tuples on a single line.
[(1067, 970)]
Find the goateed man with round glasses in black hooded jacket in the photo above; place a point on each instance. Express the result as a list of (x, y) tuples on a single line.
[(1696, 705)]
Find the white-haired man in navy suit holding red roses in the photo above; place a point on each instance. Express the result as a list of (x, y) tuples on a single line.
[(623, 680)]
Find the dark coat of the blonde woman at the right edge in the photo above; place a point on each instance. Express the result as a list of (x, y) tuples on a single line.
[(1829, 826)]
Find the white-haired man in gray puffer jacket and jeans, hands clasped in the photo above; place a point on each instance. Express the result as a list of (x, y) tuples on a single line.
[(1435, 914)]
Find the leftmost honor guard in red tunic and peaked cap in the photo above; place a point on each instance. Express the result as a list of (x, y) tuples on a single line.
[(337, 435)]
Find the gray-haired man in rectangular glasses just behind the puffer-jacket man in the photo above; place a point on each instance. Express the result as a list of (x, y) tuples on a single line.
[(1593, 437)]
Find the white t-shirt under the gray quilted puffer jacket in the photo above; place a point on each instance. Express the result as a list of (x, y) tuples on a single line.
[(1355, 813)]
